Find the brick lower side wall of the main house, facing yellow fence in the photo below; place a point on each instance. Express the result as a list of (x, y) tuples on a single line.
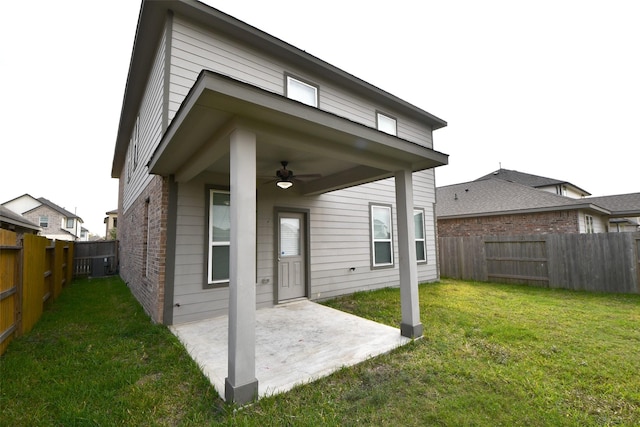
[(142, 255)]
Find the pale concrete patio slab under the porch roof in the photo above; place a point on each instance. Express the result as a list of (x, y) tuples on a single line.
[(296, 343)]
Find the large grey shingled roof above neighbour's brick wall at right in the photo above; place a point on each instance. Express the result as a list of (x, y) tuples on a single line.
[(490, 197)]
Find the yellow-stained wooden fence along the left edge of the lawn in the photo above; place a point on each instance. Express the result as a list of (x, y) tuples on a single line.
[(33, 270)]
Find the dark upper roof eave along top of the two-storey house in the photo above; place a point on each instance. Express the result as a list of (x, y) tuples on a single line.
[(151, 22)]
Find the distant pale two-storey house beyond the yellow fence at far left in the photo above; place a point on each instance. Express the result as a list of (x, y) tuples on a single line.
[(56, 223)]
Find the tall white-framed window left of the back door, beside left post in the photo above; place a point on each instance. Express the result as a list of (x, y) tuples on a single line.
[(219, 237)]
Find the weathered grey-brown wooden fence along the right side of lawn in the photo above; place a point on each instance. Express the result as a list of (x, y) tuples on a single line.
[(608, 262)]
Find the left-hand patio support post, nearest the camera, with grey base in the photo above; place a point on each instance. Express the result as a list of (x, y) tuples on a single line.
[(241, 386)]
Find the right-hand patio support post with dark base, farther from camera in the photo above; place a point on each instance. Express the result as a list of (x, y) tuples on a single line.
[(410, 325)]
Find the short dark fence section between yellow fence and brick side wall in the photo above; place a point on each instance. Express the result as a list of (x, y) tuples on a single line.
[(95, 259)]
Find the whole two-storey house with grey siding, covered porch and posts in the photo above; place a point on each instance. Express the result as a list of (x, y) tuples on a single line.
[(213, 110)]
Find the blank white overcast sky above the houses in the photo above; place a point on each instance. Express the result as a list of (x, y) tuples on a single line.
[(550, 88)]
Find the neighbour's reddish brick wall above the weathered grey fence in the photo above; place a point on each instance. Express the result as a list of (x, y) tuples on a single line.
[(564, 222)]
